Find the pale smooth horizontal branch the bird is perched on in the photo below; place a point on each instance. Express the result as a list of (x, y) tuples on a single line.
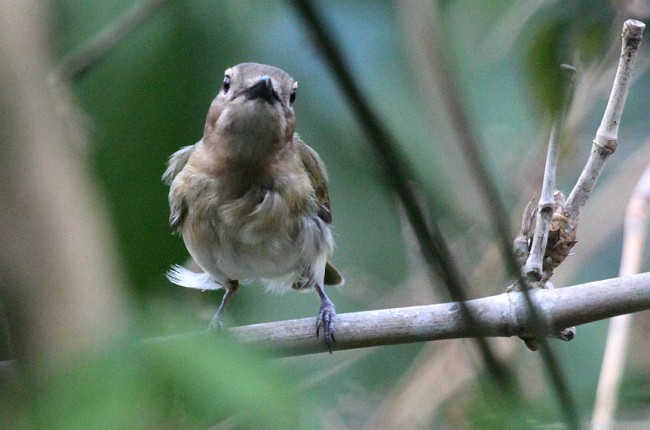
[(502, 315)]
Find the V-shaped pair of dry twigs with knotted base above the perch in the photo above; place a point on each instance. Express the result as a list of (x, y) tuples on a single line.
[(548, 231)]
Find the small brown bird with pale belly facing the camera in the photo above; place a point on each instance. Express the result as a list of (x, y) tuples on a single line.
[(250, 199)]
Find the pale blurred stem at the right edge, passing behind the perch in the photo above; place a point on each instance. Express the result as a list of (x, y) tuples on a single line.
[(636, 220)]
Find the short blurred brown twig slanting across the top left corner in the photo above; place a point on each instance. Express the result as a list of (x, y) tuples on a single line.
[(78, 62)]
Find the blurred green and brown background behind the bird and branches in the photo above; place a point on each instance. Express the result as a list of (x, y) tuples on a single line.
[(149, 96)]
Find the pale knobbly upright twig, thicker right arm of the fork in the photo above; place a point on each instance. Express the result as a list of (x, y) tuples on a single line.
[(607, 135)]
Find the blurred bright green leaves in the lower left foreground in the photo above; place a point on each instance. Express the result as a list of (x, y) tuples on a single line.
[(192, 383)]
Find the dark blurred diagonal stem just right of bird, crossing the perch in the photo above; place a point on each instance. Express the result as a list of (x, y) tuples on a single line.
[(433, 246)]
